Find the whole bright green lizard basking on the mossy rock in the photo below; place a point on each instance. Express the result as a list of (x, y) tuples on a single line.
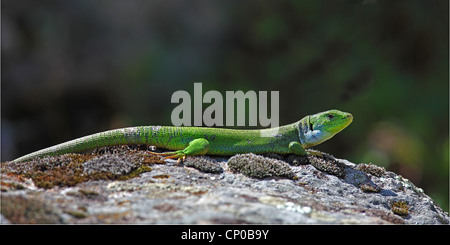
[(190, 141)]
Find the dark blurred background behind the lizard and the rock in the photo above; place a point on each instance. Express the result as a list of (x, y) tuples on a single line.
[(72, 68)]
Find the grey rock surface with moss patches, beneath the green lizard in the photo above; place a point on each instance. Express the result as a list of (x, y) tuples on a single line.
[(122, 185)]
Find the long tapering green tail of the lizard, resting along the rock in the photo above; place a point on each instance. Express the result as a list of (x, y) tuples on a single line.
[(124, 136)]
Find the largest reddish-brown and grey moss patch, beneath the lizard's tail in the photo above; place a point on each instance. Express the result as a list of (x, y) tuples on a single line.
[(117, 163)]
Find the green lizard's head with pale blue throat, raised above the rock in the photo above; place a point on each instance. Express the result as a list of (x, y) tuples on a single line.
[(317, 128)]
